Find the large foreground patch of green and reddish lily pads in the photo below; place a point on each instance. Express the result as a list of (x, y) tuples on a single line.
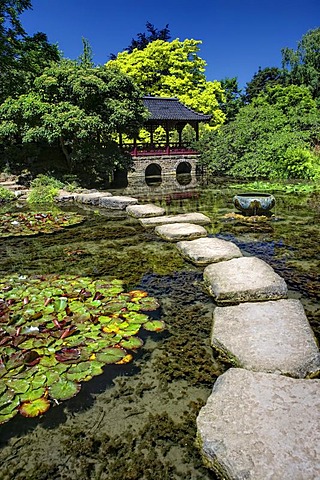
[(58, 331)]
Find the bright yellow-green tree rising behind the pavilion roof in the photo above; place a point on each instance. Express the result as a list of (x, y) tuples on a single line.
[(173, 69)]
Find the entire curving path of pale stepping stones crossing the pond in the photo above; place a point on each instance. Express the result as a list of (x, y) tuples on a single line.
[(255, 425)]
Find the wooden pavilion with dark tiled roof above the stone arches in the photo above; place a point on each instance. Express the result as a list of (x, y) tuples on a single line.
[(171, 114)]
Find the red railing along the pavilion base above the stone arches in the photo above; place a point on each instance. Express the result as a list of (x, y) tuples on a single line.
[(145, 149)]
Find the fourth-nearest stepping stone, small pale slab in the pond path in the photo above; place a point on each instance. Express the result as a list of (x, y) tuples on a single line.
[(208, 250)]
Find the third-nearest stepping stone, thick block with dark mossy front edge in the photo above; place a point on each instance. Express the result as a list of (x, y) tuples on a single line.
[(245, 279)]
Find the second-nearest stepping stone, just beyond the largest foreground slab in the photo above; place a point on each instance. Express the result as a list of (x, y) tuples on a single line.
[(270, 337)]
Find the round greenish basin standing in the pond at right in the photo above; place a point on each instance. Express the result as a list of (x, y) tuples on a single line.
[(254, 203)]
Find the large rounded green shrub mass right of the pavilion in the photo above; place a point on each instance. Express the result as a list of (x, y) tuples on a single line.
[(273, 137)]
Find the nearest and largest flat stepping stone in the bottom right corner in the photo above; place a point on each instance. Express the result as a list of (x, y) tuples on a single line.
[(261, 426)]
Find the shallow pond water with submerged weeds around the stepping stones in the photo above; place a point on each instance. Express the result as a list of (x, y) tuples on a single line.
[(137, 421)]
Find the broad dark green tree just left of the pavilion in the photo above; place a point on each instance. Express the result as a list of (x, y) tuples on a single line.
[(77, 108)]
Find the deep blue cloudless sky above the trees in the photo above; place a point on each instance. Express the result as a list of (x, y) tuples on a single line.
[(238, 35)]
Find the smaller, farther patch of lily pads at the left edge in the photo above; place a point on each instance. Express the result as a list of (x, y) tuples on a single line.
[(33, 223)]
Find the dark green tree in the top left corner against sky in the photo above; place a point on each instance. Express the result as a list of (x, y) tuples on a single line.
[(22, 57)]
